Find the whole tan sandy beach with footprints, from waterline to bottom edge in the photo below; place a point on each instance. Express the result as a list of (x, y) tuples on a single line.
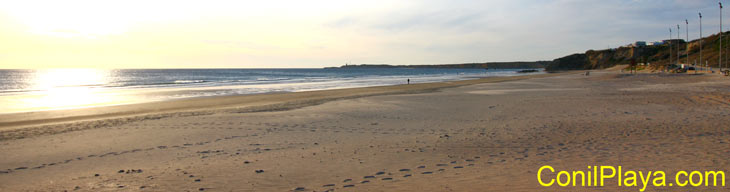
[(479, 135)]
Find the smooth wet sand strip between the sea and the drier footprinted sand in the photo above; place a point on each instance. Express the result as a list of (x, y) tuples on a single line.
[(232, 103)]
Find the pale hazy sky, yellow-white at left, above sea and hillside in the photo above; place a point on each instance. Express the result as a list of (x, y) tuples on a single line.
[(318, 33)]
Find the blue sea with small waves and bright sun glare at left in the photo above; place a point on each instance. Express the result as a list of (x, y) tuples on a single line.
[(49, 89)]
